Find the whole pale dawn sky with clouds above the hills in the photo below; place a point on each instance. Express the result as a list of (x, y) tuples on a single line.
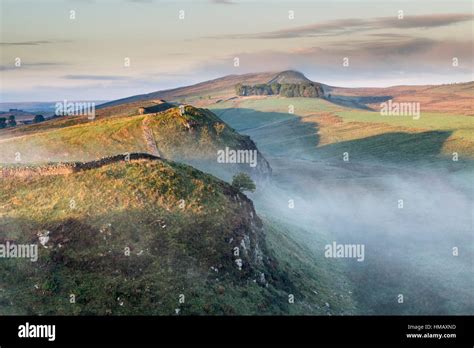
[(109, 49)]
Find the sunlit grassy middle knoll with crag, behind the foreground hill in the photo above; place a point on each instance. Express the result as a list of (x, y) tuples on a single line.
[(73, 139)]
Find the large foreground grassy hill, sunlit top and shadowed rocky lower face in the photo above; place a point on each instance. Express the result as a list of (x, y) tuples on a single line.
[(135, 205)]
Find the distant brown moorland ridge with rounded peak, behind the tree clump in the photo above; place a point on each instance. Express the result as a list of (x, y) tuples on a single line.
[(456, 98)]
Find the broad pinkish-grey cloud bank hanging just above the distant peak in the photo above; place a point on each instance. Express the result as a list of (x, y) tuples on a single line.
[(381, 60)]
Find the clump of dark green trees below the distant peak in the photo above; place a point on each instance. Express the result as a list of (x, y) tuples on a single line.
[(307, 90)]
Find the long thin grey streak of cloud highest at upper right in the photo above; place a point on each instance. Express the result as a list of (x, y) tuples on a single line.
[(351, 25)]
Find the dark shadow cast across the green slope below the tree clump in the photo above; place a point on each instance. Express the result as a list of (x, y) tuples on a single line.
[(281, 134)]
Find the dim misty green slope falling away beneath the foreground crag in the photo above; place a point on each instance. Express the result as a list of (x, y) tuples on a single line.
[(322, 288)]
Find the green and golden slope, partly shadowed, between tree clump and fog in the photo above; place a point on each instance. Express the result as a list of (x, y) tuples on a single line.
[(331, 128)]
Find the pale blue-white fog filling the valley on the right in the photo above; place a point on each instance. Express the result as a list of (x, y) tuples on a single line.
[(410, 222)]
